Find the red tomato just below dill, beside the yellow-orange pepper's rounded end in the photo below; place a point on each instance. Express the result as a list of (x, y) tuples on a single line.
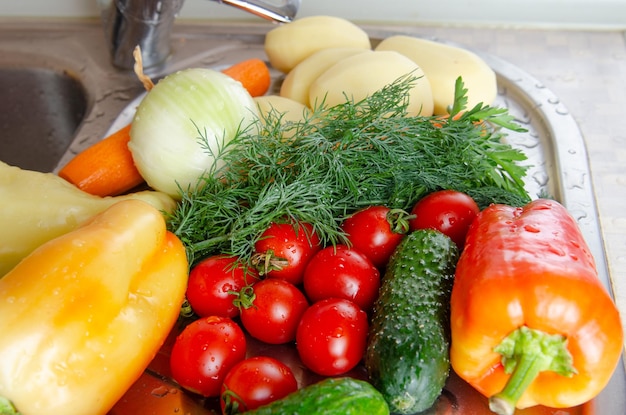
[(214, 283)]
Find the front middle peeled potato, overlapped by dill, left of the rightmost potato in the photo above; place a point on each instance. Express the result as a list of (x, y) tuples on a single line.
[(359, 76)]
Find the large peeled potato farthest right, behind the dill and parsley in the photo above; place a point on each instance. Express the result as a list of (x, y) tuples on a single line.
[(443, 64)]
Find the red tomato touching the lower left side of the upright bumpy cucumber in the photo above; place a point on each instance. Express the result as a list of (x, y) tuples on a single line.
[(332, 336)]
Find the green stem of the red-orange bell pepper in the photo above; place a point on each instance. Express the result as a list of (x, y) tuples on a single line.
[(525, 353)]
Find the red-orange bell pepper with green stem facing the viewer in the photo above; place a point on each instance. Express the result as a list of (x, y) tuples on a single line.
[(531, 323)]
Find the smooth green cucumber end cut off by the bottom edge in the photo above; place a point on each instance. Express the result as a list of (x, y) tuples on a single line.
[(331, 396)]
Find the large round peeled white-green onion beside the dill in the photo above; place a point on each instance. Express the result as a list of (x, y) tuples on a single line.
[(165, 134)]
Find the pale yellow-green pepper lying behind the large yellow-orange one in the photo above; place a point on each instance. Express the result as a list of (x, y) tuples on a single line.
[(36, 207)]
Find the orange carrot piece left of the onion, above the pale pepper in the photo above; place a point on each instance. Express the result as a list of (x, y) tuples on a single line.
[(106, 168)]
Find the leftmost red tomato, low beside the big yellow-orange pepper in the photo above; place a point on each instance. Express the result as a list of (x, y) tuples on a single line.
[(204, 352)]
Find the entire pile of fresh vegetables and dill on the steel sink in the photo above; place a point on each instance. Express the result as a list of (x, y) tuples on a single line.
[(375, 225)]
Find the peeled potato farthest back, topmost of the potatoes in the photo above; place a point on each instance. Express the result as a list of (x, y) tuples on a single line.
[(291, 43)]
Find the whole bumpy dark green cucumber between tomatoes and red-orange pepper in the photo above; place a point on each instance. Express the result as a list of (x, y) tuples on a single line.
[(407, 357)]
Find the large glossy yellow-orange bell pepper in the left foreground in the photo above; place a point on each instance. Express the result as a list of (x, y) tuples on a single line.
[(83, 315)]
